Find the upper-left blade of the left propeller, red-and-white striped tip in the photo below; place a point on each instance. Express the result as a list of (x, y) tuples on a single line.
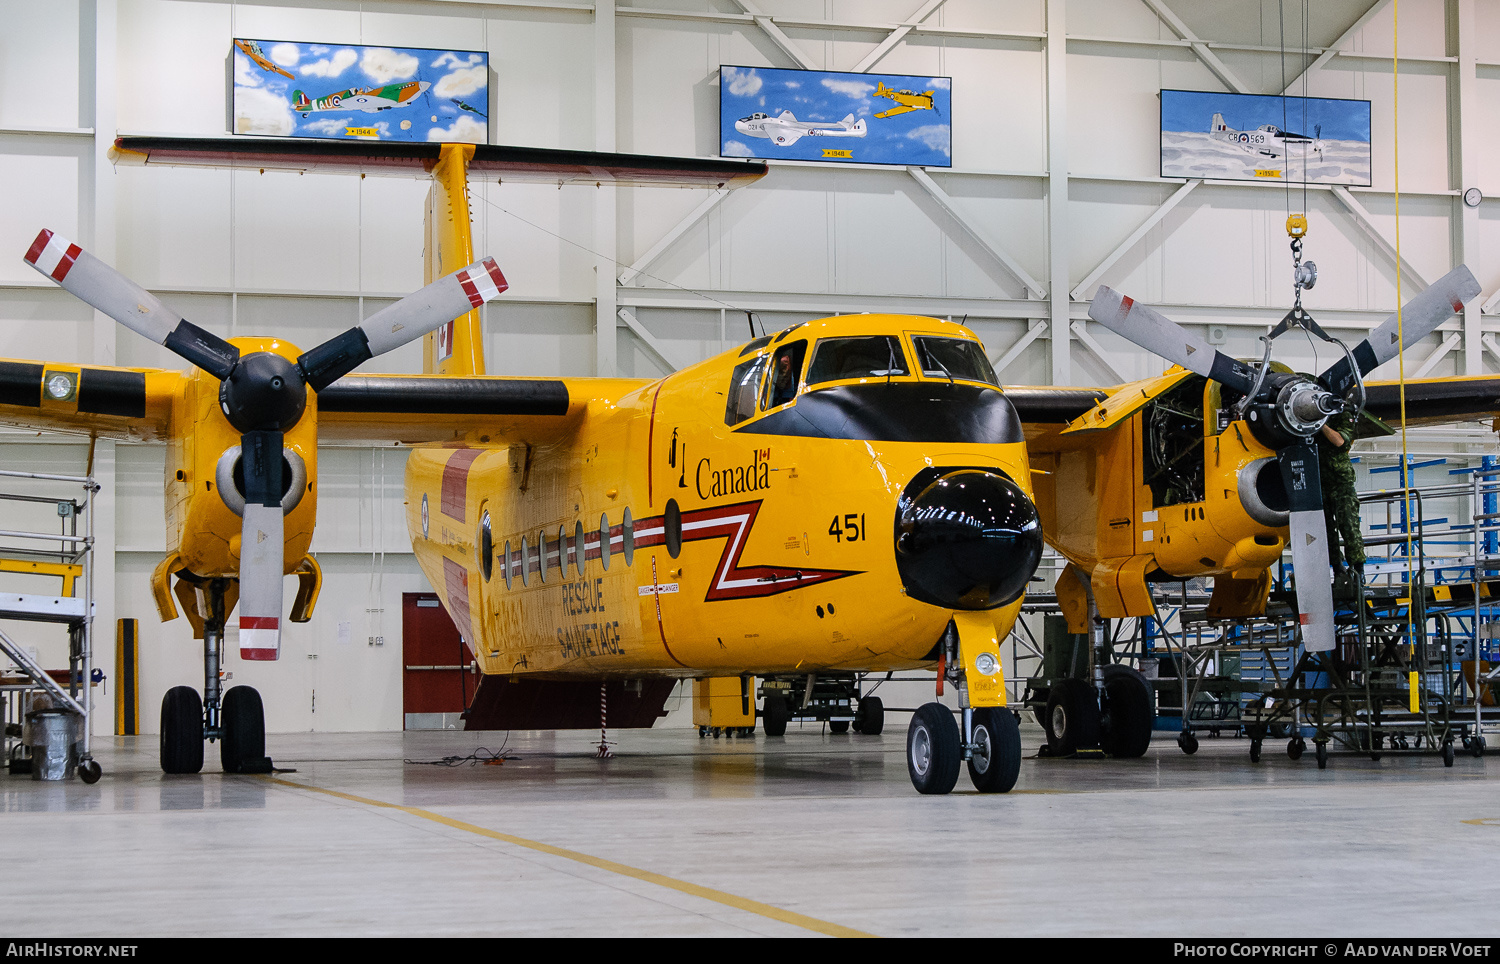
[(115, 295)]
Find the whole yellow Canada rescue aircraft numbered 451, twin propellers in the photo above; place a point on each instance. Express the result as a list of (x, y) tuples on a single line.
[(850, 495)]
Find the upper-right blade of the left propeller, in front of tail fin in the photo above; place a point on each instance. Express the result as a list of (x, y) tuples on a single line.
[(404, 322)]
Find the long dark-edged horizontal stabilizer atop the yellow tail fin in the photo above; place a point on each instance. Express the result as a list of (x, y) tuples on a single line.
[(404, 158)]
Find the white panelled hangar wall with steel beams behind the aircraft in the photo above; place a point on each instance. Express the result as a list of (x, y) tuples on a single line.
[(1055, 170)]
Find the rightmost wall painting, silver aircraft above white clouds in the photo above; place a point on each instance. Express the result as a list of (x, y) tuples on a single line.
[(1252, 137)]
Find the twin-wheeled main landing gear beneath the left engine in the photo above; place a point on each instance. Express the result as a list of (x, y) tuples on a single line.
[(238, 719)]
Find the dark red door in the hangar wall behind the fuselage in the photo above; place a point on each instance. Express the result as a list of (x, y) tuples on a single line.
[(437, 683)]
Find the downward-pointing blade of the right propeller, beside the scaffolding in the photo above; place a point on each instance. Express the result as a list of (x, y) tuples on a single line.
[(1300, 475)]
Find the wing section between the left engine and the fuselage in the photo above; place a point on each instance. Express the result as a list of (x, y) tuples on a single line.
[(443, 409)]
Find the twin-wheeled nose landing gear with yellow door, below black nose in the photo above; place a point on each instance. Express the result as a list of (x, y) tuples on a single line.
[(989, 738)]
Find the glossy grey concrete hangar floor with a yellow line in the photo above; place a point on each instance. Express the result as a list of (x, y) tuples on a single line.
[(806, 834)]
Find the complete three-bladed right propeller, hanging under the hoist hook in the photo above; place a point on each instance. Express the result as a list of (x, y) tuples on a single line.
[(1288, 412)]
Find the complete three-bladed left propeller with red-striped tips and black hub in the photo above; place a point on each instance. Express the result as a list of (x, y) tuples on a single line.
[(263, 395)]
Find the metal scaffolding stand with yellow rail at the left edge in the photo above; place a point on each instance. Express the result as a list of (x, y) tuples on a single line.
[(68, 557)]
